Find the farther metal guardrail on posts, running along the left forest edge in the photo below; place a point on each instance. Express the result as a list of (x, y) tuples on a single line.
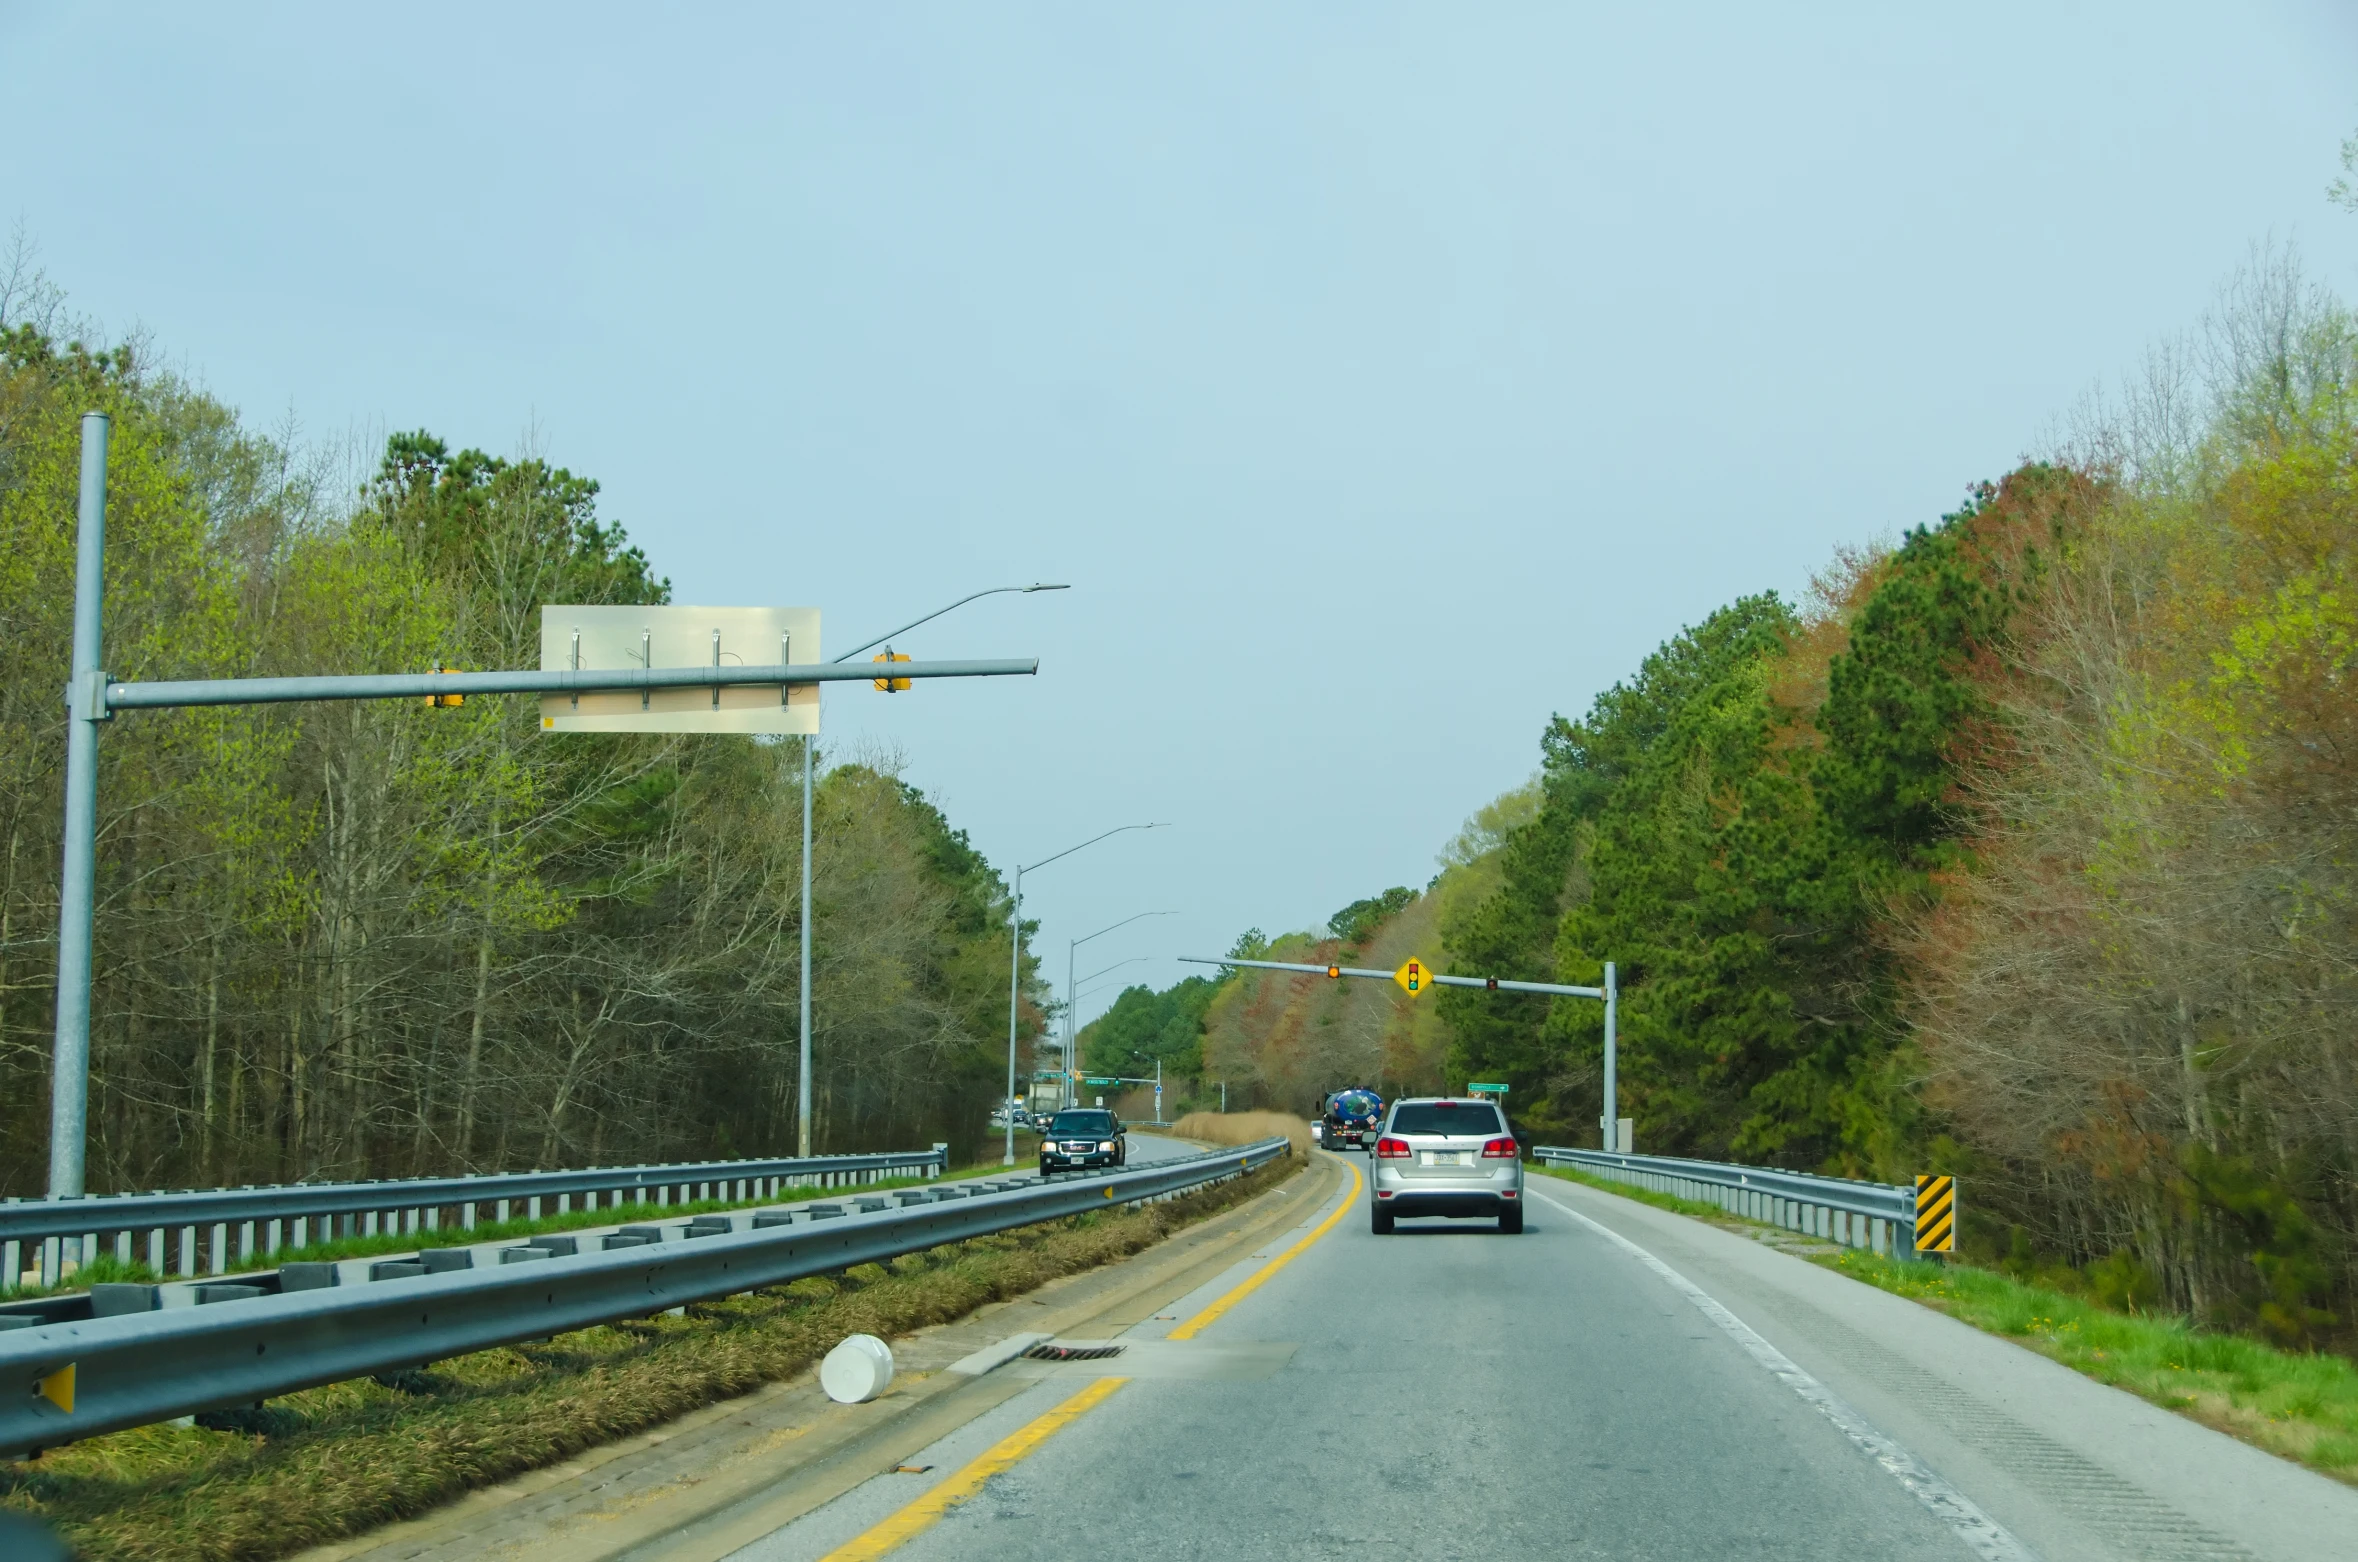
[(211, 1230)]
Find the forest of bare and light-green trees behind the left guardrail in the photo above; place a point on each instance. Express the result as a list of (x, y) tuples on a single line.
[(388, 940)]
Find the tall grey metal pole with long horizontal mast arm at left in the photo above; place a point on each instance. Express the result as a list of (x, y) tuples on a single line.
[(93, 697)]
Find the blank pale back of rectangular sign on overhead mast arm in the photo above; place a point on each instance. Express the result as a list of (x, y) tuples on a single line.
[(626, 638)]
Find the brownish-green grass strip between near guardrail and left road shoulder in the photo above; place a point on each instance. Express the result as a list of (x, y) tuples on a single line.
[(350, 1457)]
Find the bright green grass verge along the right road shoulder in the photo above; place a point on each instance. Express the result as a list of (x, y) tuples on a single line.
[(2300, 1407)]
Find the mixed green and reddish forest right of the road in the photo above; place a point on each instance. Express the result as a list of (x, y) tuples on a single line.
[(2020, 848)]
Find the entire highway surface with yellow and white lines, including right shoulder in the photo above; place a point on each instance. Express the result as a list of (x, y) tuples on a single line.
[(1609, 1384)]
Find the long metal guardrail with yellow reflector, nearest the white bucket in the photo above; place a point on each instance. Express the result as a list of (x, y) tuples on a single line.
[(145, 1367)]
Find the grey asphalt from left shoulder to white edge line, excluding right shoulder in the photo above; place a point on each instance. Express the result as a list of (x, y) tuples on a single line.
[(1440, 1393)]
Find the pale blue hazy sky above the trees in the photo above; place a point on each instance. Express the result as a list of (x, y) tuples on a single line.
[(1381, 379)]
